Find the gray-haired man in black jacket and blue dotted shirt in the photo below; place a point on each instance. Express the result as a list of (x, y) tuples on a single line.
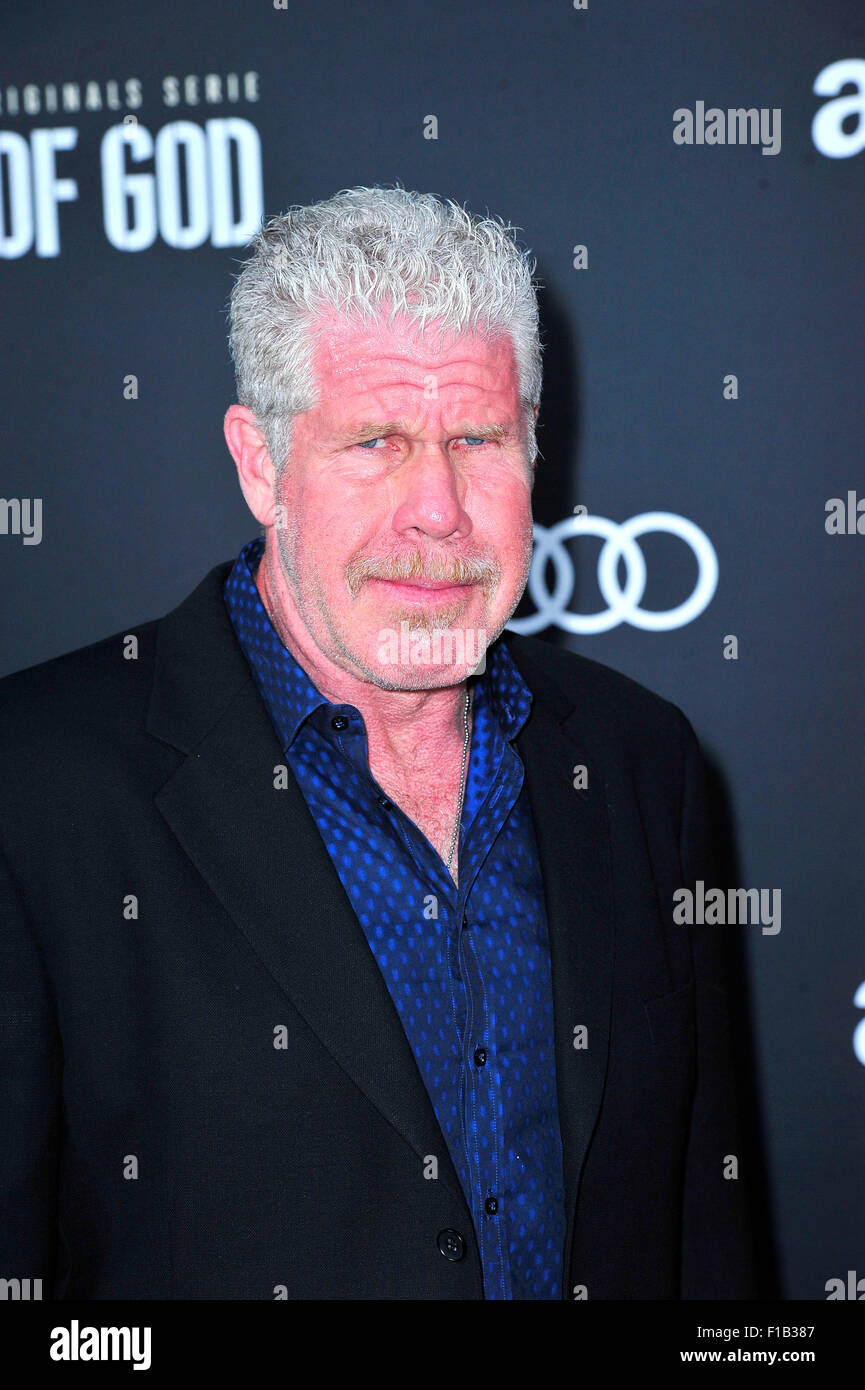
[(339, 945)]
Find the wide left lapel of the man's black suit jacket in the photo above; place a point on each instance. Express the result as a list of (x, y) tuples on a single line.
[(261, 853)]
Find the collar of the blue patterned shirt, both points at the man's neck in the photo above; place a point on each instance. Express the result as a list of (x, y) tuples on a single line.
[(290, 694)]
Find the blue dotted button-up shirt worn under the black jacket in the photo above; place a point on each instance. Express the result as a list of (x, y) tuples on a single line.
[(468, 968)]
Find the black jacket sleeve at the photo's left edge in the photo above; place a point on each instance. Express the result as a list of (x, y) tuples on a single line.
[(31, 1072)]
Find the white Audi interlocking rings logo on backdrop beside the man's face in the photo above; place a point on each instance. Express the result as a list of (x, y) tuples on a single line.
[(624, 603)]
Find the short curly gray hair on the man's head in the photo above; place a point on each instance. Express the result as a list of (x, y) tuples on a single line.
[(430, 258)]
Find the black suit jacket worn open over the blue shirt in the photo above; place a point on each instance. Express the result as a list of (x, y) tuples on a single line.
[(169, 915)]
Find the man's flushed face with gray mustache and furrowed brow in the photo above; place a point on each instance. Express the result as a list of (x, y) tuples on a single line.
[(405, 502)]
